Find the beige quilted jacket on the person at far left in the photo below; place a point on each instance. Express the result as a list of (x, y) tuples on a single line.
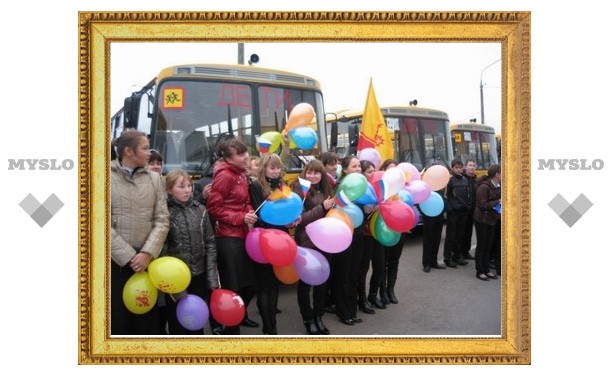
[(139, 213)]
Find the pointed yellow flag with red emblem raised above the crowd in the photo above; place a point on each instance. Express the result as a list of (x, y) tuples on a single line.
[(374, 132)]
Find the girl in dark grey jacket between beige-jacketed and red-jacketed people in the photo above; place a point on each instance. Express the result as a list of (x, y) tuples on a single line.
[(191, 238)]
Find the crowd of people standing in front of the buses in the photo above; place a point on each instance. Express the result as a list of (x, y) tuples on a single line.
[(205, 224)]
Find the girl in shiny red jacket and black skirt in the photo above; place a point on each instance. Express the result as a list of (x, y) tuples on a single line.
[(230, 206)]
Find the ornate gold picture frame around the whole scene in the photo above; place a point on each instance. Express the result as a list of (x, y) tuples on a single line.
[(98, 29)]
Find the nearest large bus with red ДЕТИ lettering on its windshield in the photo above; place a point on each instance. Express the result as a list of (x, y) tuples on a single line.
[(188, 110)]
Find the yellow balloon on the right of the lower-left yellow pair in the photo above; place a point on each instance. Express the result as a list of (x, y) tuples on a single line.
[(169, 274)]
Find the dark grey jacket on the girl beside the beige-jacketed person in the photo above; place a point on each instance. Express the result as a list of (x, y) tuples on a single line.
[(191, 238)]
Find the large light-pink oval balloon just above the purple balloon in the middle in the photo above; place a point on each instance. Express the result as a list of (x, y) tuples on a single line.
[(330, 234)]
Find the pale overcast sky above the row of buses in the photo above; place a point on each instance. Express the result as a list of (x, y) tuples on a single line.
[(443, 76)]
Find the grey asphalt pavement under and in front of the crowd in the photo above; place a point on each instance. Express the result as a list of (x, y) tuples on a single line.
[(447, 302)]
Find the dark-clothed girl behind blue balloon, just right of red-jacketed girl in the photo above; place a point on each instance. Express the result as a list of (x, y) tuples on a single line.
[(268, 179)]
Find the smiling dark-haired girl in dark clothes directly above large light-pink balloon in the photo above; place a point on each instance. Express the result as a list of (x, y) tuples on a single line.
[(318, 200)]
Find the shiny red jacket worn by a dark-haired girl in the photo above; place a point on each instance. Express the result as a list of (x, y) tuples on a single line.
[(229, 200)]
